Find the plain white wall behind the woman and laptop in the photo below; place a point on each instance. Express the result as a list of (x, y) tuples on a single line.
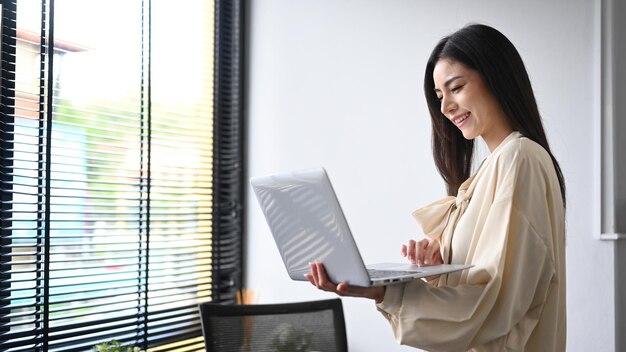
[(337, 83)]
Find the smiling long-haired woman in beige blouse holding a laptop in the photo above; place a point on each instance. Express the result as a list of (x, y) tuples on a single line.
[(507, 219)]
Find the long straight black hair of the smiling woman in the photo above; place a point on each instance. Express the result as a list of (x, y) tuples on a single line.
[(487, 51)]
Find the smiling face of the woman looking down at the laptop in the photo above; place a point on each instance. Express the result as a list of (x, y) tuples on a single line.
[(468, 104)]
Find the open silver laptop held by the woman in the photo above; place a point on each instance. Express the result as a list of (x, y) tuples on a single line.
[(308, 225)]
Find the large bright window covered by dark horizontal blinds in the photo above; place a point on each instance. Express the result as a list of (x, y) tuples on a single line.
[(121, 171)]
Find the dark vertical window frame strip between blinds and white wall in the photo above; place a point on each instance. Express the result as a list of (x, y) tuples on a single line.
[(229, 134)]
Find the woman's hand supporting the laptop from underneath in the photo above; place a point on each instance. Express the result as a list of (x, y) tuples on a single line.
[(318, 278)]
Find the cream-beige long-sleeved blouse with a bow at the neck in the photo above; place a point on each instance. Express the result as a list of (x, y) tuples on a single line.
[(508, 221)]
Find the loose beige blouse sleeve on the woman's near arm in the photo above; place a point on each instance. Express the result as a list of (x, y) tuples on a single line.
[(507, 286)]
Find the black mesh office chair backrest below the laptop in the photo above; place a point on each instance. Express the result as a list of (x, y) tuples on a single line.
[(286, 327)]
